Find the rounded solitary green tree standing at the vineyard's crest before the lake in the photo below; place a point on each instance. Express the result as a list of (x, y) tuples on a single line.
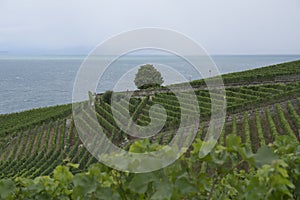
[(148, 77)]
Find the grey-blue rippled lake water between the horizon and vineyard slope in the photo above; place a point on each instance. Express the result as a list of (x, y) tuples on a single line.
[(30, 82)]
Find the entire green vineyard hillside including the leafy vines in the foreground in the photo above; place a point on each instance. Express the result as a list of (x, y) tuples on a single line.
[(263, 111)]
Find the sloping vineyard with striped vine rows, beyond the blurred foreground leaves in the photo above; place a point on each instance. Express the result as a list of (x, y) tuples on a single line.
[(33, 143)]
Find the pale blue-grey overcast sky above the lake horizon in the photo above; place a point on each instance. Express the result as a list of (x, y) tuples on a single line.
[(221, 27)]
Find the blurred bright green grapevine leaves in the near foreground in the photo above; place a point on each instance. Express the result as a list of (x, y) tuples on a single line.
[(228, 172)]
